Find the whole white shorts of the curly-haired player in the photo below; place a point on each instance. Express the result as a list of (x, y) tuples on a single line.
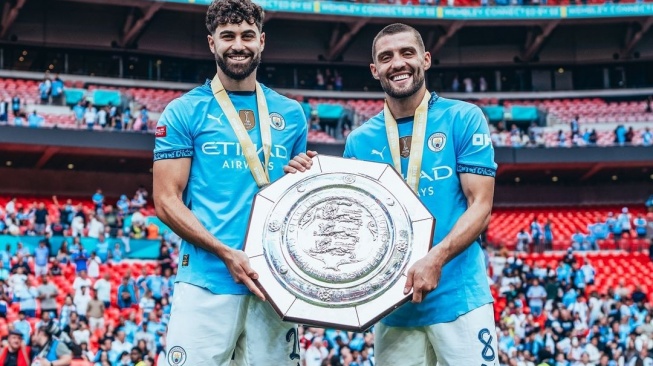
[(227, 330)]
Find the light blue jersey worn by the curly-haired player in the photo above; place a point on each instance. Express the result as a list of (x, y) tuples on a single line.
[(221, 187)]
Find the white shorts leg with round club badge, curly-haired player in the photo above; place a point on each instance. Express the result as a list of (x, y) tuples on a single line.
[(204, 327)]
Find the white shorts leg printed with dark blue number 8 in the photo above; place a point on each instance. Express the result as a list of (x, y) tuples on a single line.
[(469, 340)]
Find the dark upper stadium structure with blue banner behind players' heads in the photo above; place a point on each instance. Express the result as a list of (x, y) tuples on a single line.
[(336, 31)]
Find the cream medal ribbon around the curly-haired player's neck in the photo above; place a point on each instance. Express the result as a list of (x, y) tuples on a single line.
[(260, 173)]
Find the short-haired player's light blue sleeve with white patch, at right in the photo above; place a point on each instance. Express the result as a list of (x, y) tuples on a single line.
[(474, 150)]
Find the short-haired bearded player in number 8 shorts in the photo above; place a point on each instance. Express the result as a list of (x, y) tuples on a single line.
[(442, 148)]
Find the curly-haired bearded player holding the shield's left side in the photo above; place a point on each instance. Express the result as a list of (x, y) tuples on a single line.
[(205, 180)]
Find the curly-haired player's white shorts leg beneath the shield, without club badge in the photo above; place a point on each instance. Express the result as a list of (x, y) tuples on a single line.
[(267, 339)]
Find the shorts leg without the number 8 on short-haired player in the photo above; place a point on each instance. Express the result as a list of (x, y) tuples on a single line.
[(395, 346)]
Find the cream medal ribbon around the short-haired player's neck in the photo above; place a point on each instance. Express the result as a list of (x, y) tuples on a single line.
[(417, 143)]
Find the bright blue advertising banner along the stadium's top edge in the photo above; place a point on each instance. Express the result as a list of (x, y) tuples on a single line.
[(448, 13)]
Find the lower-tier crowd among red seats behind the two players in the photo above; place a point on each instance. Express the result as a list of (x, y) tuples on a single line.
[(107, 311)]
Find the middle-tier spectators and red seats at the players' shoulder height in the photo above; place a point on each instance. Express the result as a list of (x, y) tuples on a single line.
[(594, 122)]
